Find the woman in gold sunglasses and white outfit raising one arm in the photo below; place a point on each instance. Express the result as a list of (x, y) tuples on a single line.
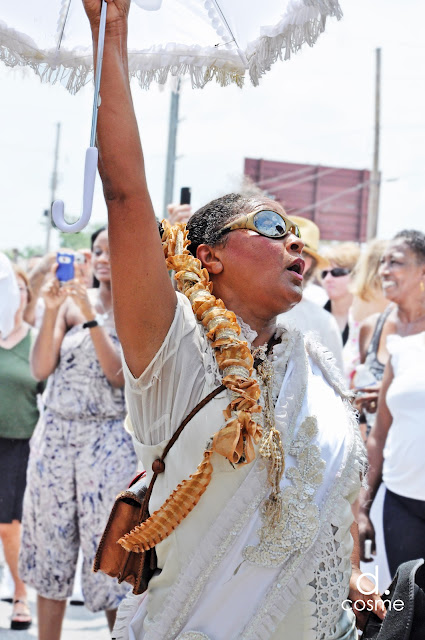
[(251, 512)]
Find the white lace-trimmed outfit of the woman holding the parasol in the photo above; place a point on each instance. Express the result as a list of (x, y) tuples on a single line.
[(209, 586)]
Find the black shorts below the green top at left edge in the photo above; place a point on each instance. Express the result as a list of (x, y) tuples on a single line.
[(13, 465)]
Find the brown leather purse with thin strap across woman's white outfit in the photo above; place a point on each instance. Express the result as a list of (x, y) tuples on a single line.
[(130, 509)]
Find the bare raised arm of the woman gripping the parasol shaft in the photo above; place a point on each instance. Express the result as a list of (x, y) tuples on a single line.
[(143, 296)]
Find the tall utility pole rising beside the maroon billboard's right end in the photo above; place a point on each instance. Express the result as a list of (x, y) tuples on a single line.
[(374, 187)]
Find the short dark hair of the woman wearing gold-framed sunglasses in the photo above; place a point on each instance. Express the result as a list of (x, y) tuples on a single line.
[(206, 224)]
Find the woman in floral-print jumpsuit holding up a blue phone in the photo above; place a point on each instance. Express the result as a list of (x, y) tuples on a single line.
[(81, 456)]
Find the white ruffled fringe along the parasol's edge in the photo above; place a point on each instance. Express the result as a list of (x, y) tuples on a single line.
[(301, 24)]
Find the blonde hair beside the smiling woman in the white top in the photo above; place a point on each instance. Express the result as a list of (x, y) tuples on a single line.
[(366, 281)]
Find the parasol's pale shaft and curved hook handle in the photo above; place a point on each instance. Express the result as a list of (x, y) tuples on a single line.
[(90, 166)]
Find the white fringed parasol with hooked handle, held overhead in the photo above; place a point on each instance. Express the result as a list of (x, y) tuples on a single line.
[(223, 40)]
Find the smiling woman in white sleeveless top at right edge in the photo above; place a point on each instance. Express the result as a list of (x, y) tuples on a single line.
[(397, 440)]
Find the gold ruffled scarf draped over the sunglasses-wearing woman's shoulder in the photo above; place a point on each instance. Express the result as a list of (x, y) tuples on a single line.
[(235, 440)]
